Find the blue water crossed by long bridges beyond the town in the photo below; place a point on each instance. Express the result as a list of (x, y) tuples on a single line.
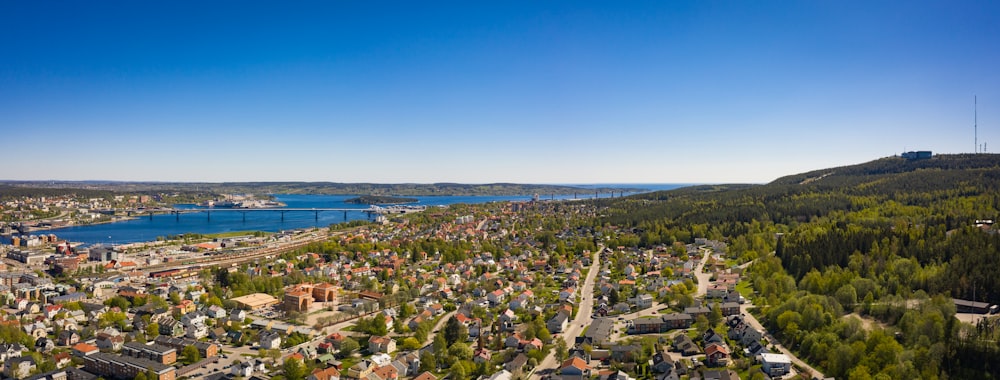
[(144, 228)]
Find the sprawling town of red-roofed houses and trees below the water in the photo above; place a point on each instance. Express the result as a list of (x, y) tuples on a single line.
[(505, 290)]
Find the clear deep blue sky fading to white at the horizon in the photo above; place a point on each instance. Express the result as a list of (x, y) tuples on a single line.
[(474, 91)]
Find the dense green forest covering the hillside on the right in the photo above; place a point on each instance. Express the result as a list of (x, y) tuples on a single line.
[(854, 268)]
